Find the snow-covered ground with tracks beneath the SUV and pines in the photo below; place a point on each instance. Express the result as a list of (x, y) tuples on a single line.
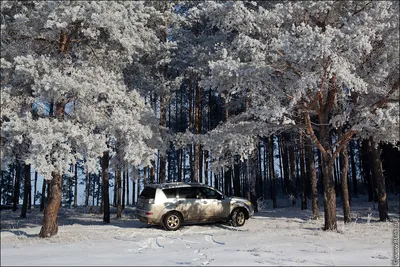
[(283, 236)]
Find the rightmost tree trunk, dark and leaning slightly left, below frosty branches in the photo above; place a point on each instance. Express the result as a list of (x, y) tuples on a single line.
[(380, 180)]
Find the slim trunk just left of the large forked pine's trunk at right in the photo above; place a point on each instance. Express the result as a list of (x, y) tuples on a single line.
[(313, 179)]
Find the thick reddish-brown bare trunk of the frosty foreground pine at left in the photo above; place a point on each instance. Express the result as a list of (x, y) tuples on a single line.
[(50, 224)]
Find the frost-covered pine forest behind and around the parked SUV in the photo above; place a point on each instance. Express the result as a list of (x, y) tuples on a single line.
[(262, 100)]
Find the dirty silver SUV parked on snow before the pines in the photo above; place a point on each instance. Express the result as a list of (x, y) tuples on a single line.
[(173, 204)]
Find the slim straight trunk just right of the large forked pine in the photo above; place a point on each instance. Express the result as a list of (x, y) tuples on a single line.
[(344, 167)]
